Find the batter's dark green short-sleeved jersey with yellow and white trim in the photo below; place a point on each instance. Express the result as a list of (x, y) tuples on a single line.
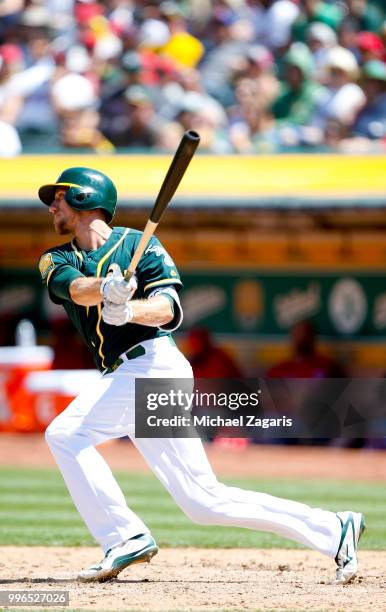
[(62, 264)]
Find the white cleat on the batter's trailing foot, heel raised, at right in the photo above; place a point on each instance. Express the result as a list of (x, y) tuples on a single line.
[(353, 525)]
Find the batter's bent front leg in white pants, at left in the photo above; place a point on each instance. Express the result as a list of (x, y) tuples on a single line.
[(96, 415)]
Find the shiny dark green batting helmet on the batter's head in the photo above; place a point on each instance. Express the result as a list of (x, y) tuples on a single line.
[(87, 189)]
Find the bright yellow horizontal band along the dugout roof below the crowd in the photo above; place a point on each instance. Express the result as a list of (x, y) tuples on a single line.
[(140, 176)]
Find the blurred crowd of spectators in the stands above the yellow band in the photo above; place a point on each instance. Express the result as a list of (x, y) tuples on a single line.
[(252, 76)]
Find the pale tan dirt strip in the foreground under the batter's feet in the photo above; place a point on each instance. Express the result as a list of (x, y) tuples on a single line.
[(200, 579)]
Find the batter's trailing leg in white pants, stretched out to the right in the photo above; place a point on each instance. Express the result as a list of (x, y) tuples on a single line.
[(183, 468)]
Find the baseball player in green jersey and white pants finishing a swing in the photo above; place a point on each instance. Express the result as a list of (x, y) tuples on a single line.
[(127, 326)]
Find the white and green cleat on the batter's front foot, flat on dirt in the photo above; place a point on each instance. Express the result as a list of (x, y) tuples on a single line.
[(139, 549)]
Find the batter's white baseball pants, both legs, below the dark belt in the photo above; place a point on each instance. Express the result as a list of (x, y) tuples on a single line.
[(107, 411)]
